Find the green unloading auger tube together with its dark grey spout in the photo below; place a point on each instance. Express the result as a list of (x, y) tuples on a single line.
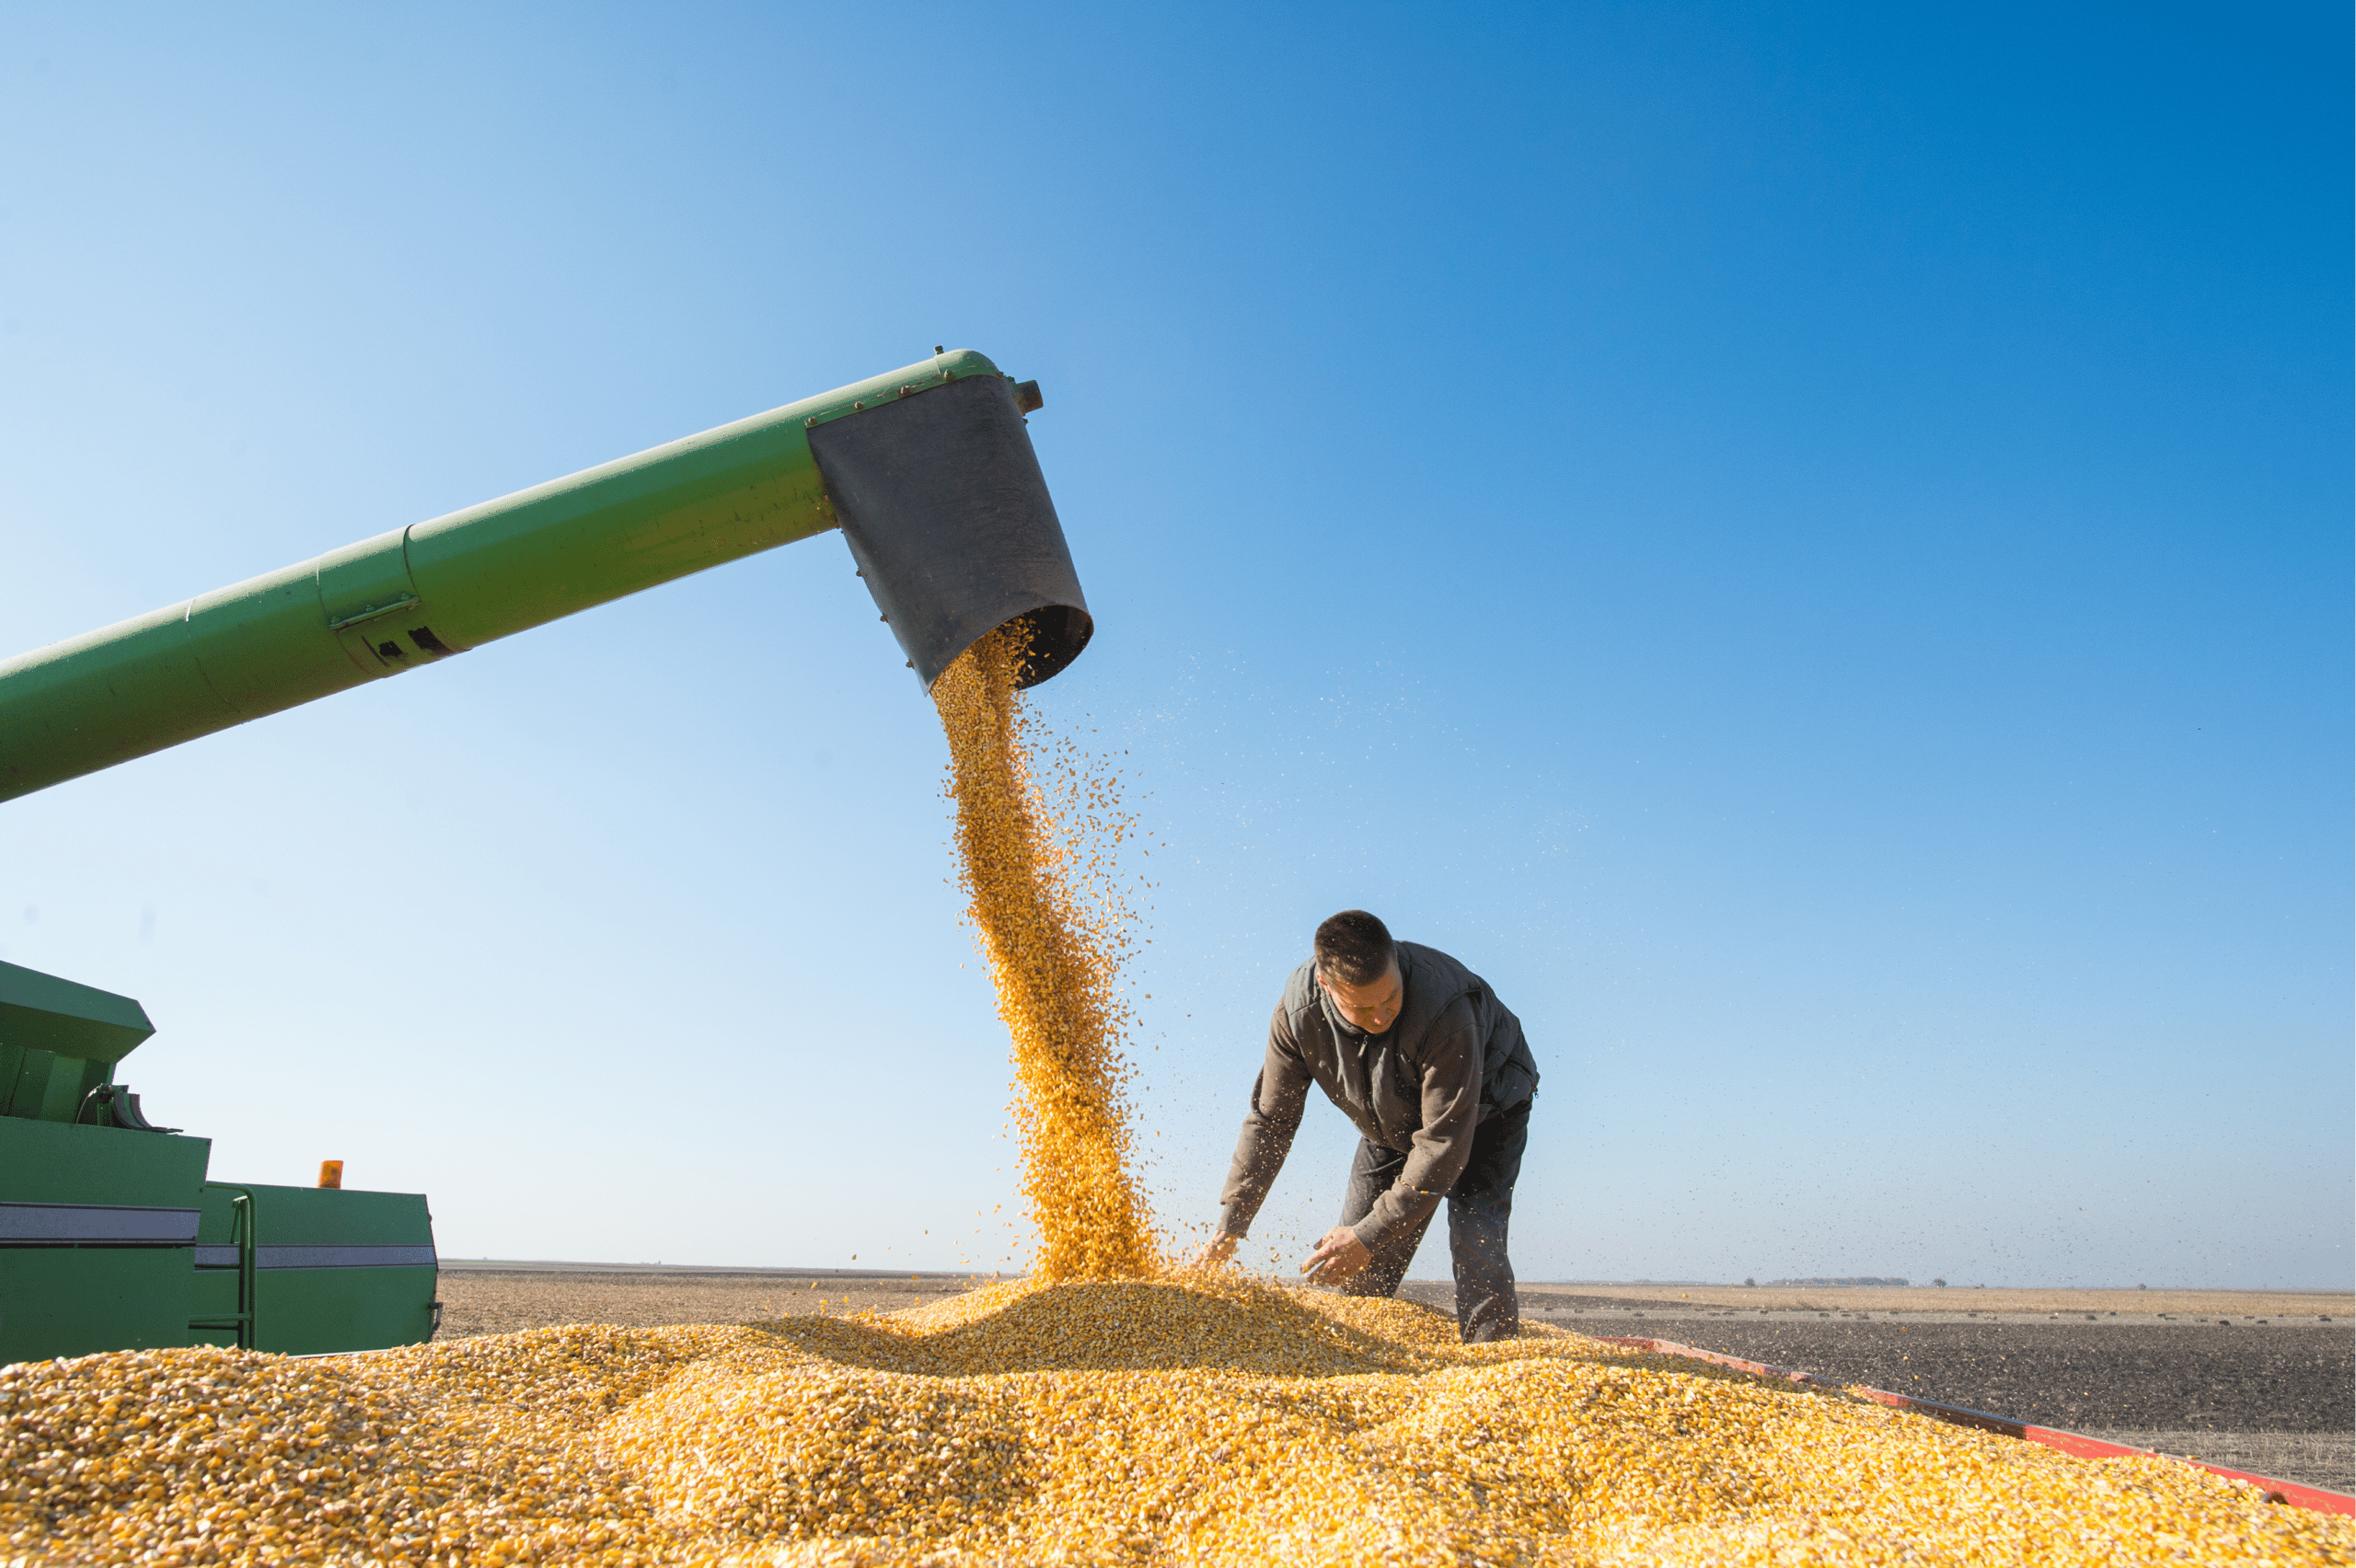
[(927, 470)]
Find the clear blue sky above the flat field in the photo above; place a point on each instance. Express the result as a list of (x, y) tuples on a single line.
[(1808, 545)]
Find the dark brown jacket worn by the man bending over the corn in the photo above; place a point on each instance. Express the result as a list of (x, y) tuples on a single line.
[(1450, 1061)]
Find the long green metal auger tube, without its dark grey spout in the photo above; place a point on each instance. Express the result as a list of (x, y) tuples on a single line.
[(432, 590)]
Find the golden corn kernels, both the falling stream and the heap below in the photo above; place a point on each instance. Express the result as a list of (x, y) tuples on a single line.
[(1104, 1411)]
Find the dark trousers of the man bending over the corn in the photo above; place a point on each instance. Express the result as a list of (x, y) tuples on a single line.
[(1481, 1204)]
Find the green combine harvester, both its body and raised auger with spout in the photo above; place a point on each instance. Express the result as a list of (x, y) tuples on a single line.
[(110, 1233)]
